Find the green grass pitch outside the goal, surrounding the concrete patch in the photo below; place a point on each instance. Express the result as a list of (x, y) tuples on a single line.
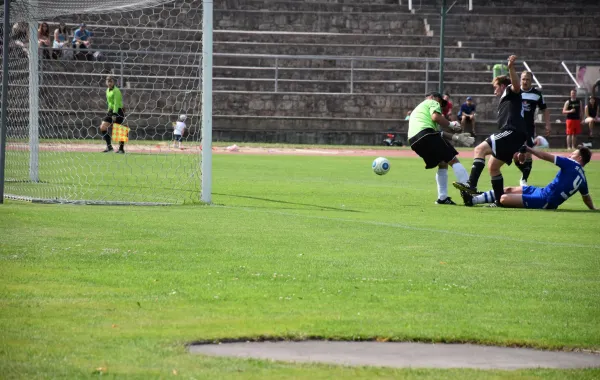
[(294, 247)]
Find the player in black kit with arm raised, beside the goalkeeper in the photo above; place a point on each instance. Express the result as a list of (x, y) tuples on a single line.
[(504, 144)]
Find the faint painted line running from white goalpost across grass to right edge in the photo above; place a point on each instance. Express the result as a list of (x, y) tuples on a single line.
[(413, 228)]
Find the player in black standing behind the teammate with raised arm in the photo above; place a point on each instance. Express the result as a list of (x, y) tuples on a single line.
[(532, 99)]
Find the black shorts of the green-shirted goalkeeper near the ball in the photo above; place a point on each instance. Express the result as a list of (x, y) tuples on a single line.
[(432, 148)]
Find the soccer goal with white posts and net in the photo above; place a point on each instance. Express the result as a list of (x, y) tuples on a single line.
[(158, 53)]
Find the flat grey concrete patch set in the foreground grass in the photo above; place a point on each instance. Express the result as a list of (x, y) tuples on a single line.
[(401, 355)]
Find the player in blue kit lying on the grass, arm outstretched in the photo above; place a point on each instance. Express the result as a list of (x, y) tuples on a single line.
[(569, 180)]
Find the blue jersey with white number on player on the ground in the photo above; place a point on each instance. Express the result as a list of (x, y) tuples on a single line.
[(569, 180)]
